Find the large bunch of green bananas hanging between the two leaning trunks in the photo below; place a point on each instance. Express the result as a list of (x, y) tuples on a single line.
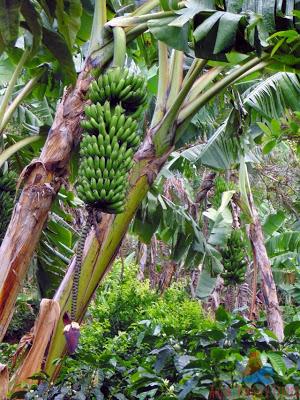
[(110, 138)]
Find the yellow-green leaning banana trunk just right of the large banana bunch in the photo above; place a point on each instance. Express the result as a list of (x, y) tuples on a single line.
[(99, 255)]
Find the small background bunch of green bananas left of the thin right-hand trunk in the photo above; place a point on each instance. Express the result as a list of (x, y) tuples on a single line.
[(234, 261)]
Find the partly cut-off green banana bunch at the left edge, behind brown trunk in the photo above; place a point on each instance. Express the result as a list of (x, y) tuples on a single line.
[(8, 181)]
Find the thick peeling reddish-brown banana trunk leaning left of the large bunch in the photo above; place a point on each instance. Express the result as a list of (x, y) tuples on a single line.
[(43, 178)]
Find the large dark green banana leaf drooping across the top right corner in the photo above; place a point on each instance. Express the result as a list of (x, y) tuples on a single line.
[(240, 25)]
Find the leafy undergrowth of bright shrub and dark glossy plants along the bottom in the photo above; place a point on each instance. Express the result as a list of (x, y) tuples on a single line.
[(138, 345)]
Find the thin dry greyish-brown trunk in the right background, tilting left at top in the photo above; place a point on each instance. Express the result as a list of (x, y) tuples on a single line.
[(262, 261)]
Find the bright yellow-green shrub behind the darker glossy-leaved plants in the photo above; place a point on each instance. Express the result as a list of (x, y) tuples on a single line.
[(120, 308)]
